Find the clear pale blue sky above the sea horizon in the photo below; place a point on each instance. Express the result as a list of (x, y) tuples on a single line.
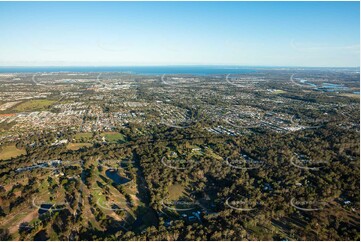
[(309, 34)]
